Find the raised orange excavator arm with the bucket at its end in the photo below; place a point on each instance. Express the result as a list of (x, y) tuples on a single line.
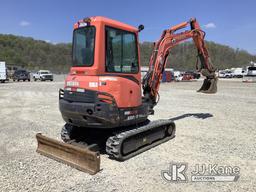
[(169, 39)]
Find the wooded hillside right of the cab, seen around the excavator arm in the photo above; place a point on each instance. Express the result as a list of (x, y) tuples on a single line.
[(183, 57)]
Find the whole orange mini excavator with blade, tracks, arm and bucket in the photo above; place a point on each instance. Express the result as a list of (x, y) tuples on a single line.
[(103, 91)]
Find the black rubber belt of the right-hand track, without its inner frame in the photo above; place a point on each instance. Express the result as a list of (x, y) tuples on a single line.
[(114, 143)]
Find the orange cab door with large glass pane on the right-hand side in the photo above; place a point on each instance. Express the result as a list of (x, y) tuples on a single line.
[(122, 67)]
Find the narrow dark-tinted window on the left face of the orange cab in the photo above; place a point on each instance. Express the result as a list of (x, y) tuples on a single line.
[(83, 46)]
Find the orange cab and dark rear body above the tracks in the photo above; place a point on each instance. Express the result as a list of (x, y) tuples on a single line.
[(104, 83)]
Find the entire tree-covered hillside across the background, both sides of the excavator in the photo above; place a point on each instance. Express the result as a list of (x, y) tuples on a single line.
[(36, 54)]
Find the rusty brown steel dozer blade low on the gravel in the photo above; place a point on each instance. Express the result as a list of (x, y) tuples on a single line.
[(78, 157)]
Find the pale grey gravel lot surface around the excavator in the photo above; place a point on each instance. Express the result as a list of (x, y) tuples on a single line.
[(211, 129)]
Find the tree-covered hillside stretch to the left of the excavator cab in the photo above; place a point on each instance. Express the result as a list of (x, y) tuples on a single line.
[(34, 54)]
